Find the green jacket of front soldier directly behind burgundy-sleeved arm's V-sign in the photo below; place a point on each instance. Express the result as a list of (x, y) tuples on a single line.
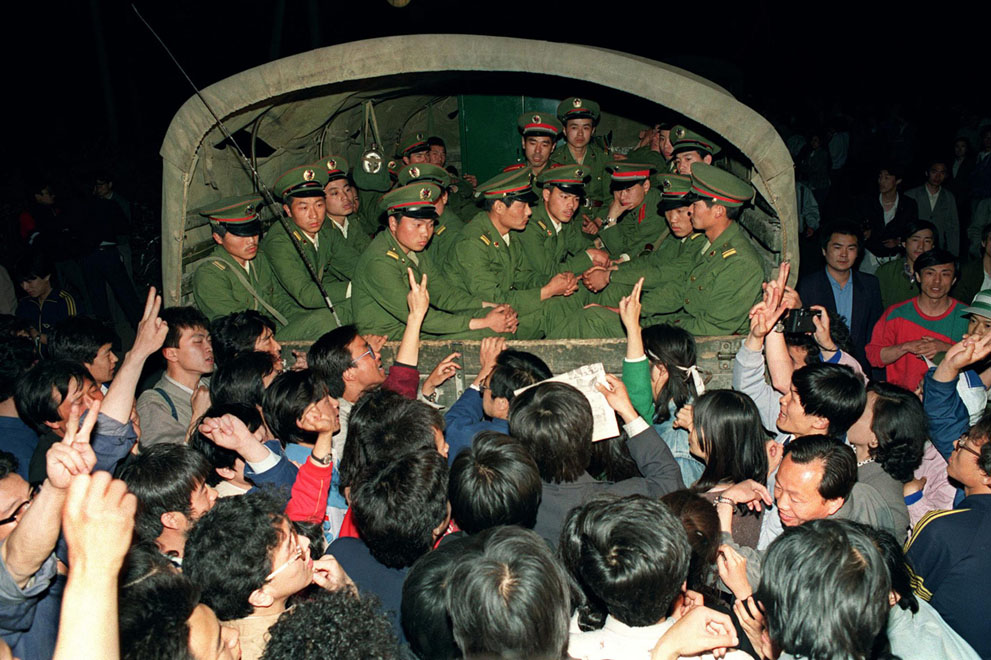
[(378, 299)]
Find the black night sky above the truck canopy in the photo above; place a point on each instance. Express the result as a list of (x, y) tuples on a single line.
[(89, 86)]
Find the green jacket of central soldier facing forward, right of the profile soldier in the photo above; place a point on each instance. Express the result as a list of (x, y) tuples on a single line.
[(548, 252)]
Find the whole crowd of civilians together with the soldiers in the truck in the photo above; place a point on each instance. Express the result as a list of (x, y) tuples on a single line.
[(201, 496)]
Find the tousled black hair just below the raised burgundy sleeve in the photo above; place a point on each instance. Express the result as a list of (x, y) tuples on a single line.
[(385, 425)]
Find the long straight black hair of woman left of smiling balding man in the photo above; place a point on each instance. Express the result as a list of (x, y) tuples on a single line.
[(730, 431)]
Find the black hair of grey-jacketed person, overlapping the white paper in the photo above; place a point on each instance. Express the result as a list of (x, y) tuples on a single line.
[(553, 421)]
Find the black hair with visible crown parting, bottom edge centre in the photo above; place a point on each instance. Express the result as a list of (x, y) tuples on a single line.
[(512, 601)]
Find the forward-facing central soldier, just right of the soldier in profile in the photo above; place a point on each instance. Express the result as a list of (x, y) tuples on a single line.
[(551, 242)]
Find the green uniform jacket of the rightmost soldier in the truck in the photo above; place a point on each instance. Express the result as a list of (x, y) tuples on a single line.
[(720, 289)]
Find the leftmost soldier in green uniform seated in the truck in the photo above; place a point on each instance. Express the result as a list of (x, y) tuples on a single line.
[(236, 276)]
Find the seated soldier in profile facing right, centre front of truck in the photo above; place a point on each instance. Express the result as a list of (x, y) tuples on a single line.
[(489, 261)]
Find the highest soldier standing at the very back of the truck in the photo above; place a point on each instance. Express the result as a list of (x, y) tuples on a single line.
[(580, 117)]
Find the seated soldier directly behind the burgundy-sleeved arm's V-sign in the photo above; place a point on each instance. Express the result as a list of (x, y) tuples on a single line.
[(381, 280)]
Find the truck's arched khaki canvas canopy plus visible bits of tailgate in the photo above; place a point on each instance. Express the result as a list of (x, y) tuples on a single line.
[(336, 100)]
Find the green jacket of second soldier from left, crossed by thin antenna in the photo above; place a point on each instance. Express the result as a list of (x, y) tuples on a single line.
[(294, 280)]
